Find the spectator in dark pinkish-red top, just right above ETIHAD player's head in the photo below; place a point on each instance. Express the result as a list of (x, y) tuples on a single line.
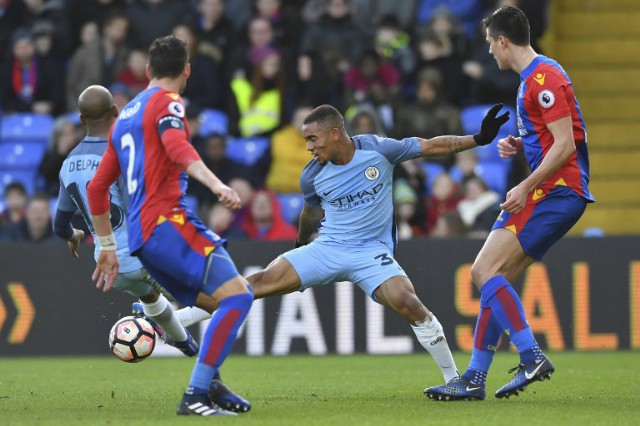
[(374, 83)]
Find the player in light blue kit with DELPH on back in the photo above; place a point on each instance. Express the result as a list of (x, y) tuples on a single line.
[(97, 113)]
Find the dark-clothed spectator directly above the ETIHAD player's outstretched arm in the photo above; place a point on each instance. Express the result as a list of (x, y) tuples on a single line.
[(430, 114)]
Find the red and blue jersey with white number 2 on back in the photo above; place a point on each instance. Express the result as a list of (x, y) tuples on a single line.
[(148, 159)]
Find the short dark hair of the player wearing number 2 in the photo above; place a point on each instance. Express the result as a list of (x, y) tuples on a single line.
[(167, 57)]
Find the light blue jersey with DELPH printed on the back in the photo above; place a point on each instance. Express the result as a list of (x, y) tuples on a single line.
[(77, 171)]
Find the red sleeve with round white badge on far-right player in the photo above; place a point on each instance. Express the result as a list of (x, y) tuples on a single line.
[(549, 92)]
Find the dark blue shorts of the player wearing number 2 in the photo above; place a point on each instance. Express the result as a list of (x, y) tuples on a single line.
[(186, 258)]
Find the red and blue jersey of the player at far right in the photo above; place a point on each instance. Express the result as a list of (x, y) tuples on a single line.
[(546, 95)]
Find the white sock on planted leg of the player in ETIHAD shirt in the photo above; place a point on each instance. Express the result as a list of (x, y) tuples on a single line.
[(431, 336)]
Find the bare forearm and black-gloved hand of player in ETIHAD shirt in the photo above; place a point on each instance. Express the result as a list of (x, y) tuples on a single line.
[(444, 145)]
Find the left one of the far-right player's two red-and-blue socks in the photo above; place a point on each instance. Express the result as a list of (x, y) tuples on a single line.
[(485, 341)]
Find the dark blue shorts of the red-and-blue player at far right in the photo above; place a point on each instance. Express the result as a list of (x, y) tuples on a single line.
[(546, 217)]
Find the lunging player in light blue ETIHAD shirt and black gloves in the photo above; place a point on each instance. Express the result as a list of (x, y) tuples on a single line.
[(349, 183)]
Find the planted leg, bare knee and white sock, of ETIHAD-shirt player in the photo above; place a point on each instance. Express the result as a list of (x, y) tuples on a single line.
[(398, 294)]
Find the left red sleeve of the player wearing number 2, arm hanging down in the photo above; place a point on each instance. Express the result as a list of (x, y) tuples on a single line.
[(107, 173)]
